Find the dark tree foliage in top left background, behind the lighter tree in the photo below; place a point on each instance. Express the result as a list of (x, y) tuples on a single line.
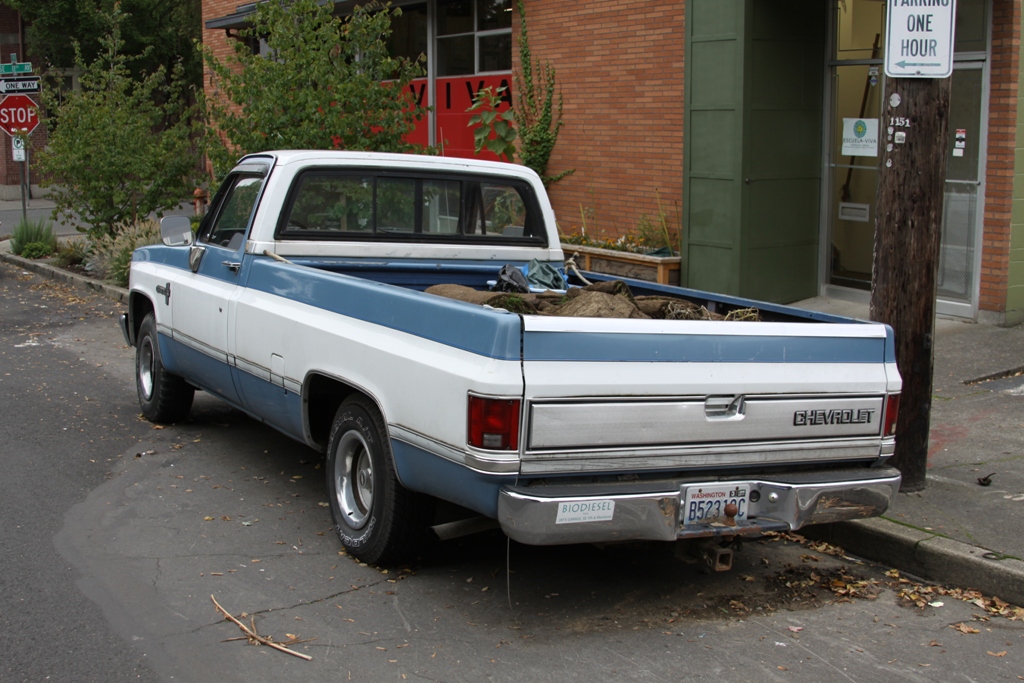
[(164, 30)]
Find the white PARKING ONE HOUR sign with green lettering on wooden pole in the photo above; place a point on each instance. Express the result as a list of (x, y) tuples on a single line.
[(920, 38)]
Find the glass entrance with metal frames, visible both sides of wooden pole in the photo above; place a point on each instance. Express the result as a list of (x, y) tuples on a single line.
[(857, 135)]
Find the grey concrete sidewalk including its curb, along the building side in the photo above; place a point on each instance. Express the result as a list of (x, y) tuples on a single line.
[(957, 531)]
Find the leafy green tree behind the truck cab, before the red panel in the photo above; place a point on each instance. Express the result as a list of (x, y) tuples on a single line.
[(328, 83)]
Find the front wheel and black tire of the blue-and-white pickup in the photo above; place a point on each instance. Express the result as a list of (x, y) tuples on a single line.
[(164, 398)]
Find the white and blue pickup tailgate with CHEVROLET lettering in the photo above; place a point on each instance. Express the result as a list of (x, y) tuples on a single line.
[(626, 395)]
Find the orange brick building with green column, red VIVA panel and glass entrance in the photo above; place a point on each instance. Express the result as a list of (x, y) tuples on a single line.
[(733, 113)]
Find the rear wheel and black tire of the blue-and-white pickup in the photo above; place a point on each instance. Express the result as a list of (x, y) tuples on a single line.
[(377, 520)]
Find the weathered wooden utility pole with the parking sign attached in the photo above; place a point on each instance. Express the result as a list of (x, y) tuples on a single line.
[(909, 215)]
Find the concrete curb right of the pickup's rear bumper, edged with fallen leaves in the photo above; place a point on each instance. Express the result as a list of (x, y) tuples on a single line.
[(928, 556)]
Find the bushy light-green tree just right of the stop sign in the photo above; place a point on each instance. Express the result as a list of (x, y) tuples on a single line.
[(118, 155)]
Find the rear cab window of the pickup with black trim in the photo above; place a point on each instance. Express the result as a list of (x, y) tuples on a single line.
[(374, 205)]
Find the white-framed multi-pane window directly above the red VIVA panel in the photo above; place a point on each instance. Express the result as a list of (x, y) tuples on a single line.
[(475, 37)]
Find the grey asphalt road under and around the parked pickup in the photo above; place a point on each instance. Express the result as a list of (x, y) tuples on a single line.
[(116, 534)]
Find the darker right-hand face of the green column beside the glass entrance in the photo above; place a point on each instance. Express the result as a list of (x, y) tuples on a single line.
[(783, 118)]
